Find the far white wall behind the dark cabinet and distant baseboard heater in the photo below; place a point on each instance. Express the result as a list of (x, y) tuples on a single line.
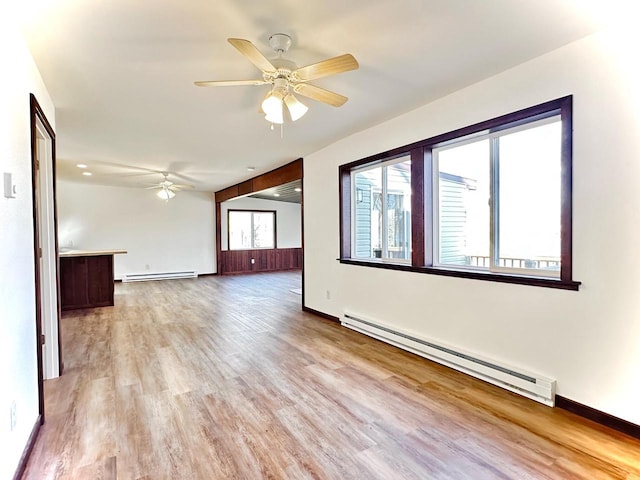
[(159, 236)]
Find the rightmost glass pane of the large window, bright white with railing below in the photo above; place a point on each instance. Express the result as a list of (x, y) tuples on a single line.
[(529, 199)]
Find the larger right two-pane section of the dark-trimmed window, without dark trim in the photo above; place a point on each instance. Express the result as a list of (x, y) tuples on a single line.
[(497, 200)]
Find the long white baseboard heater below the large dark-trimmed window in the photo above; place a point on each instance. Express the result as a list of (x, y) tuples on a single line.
[(533, 386)]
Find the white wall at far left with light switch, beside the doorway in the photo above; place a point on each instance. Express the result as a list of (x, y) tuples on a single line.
[(18, 362)]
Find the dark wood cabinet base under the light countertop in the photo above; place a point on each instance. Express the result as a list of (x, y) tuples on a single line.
[(86, 281)]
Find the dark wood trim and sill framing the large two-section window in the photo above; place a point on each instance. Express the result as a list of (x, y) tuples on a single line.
[(421, 173)]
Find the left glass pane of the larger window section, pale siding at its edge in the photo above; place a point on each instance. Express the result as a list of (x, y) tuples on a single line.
[(463, 205)]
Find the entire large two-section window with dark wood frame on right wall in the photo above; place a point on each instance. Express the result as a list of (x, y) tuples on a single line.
[(491, 201)]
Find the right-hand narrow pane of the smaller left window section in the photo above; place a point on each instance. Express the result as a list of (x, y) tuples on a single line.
[(398, 209)]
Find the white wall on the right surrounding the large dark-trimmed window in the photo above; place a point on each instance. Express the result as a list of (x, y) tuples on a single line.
[(588, 340)]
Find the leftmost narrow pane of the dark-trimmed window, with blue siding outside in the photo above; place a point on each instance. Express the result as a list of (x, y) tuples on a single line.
[(368, 213)]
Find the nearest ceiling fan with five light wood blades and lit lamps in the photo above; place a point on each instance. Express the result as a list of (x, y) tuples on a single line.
[(286, 78)]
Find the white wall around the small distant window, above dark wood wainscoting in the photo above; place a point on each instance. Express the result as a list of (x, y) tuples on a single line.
[(288, 220)]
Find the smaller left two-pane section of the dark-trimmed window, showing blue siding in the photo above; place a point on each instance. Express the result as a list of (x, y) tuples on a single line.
[(382, 211)]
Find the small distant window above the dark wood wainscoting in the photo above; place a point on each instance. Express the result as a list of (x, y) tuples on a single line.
[(251, 229)]
